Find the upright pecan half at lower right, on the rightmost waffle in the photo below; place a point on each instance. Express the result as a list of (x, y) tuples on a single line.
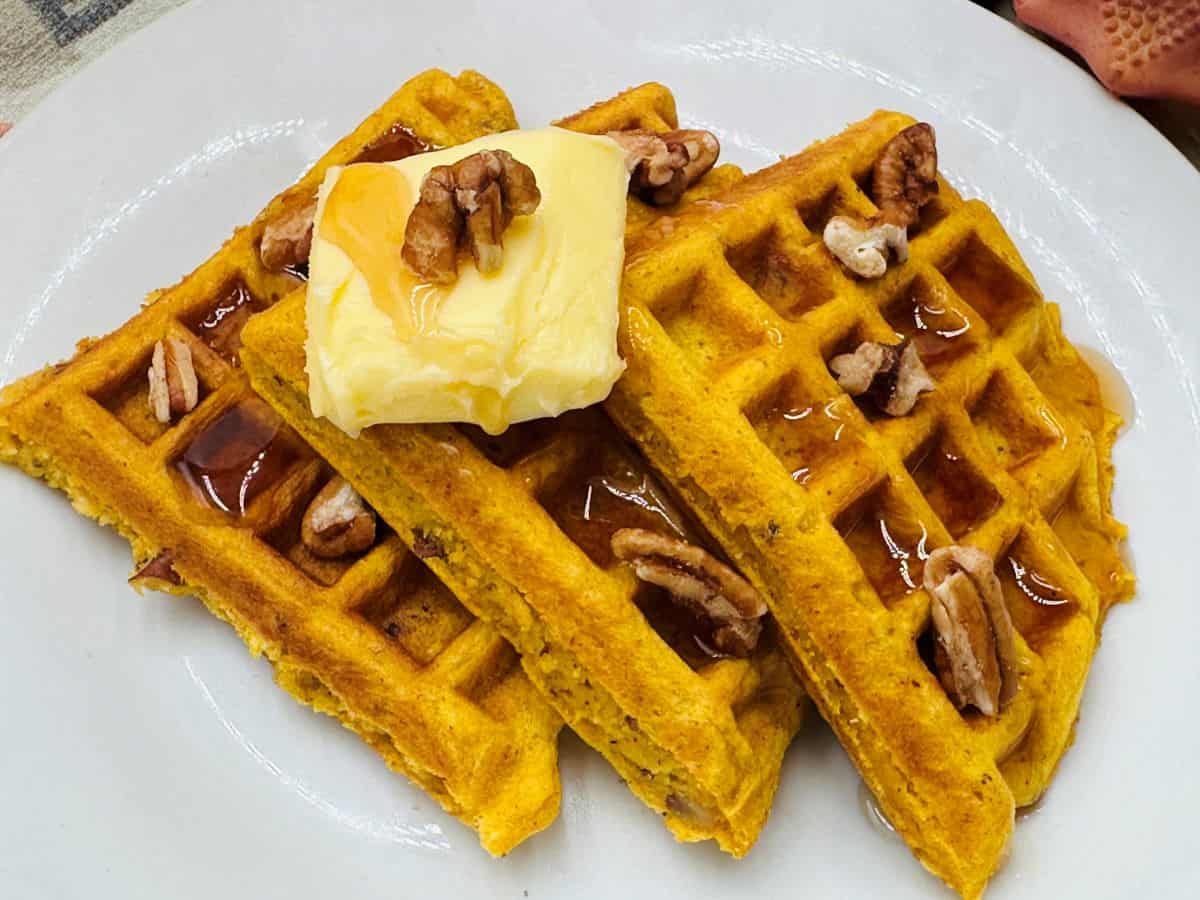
[(977, 659)]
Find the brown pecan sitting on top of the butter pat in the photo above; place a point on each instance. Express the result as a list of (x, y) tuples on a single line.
[(471, 202)]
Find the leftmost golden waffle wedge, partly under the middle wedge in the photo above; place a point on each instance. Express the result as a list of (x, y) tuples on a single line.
[(212, 506)]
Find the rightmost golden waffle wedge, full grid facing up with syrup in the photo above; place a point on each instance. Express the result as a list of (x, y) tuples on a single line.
[(730, 319)]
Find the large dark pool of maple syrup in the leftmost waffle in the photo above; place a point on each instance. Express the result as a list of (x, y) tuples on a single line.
[(236, 458)]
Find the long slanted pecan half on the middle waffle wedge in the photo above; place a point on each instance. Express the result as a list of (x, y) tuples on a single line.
[(698, 581)]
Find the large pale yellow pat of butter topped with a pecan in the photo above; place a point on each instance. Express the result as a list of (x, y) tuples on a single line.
[(536, 339)]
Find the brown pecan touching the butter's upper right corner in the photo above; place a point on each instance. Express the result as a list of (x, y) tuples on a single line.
[(662, 167)]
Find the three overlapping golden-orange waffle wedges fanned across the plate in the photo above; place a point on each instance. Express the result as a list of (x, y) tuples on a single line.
[(490, 609)]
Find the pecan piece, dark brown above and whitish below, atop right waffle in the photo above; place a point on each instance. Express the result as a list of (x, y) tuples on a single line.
[(904, 181)]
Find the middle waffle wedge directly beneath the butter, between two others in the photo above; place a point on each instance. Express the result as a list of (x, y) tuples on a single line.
[(520, 527)]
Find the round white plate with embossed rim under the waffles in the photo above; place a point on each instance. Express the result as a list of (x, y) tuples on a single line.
[(143, 755)]
